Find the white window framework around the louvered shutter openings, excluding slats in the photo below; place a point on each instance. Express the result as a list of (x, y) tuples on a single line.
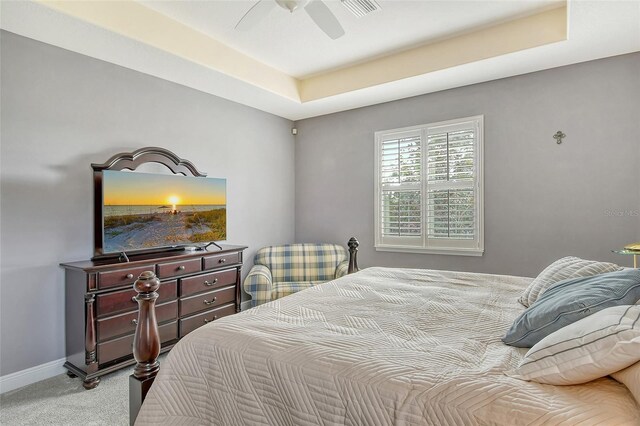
[(424, 244)]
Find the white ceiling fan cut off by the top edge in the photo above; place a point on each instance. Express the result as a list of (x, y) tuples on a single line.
[(316, 9)]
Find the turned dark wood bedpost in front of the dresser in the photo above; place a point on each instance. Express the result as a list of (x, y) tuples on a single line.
[(146, 342)]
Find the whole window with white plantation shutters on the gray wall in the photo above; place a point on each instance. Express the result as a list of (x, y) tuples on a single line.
[(429, 192)]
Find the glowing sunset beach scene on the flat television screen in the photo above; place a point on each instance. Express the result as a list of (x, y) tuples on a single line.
[(145, 211)]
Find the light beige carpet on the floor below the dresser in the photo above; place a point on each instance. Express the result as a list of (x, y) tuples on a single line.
[(61, 400)]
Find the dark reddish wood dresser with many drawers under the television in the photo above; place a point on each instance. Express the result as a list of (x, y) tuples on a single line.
[(197, 287)]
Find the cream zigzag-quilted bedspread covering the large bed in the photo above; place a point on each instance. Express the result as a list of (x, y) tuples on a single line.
[(379, 347)]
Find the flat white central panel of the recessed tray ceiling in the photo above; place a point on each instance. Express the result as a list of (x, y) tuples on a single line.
[(290, 42)]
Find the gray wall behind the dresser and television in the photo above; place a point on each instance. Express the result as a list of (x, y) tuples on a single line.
[(62, 111)]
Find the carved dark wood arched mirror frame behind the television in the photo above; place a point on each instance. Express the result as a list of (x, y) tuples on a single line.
[(131, 161)]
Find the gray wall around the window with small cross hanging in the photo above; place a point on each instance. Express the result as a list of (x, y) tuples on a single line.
[(542, 200)]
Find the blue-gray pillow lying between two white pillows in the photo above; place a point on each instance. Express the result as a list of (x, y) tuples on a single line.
[(570, 300)]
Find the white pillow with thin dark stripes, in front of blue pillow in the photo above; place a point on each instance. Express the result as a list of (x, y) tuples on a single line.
[(592, 347)]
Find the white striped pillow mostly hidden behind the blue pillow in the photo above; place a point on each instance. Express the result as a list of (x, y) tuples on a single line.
[(562, 269)]
